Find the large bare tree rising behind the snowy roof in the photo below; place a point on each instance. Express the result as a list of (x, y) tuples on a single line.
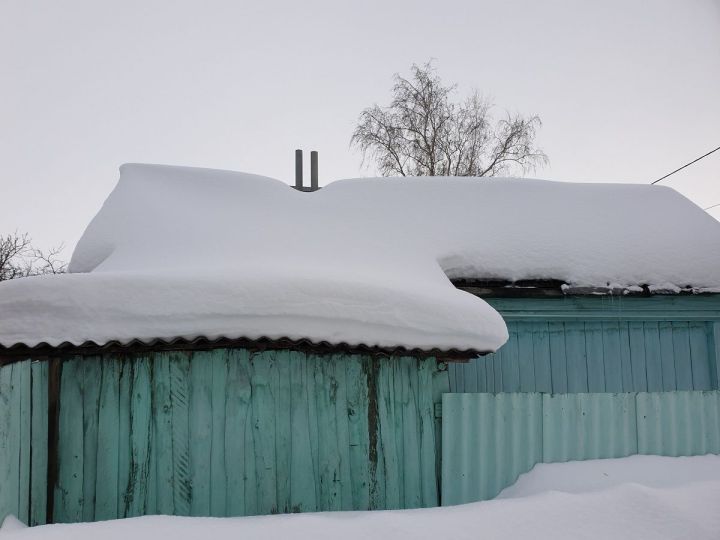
[(424, 133)]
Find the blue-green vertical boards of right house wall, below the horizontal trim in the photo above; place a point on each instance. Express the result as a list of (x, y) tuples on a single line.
[(595, 356)]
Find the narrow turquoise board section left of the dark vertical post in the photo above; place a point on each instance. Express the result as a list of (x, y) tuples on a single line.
[(23, 441)]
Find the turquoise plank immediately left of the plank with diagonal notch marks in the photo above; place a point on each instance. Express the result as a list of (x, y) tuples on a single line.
[(162, 419)]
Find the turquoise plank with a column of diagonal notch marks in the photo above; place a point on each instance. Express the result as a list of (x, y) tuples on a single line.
[(180, 396)]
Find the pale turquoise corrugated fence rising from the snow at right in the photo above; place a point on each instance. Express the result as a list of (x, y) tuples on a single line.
[(491, 439)]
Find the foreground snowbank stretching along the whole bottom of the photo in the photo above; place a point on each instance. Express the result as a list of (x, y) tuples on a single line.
[(629, 511)]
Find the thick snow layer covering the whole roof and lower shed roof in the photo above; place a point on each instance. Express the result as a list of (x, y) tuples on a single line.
[(182, 252)]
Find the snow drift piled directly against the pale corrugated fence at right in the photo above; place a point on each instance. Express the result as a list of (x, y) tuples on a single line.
[(598, 474)]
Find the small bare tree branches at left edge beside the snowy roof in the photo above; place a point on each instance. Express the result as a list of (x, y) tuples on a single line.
[(18, 258)]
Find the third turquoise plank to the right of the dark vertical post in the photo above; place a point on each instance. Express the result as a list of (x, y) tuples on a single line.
[(107, 487)]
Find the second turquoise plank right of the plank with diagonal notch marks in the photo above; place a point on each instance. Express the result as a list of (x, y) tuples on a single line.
[(218, 473)]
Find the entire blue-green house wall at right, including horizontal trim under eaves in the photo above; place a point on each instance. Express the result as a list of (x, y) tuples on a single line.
[(579, 344)]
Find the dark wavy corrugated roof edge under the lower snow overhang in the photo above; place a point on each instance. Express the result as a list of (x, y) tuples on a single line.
[(21, 351)]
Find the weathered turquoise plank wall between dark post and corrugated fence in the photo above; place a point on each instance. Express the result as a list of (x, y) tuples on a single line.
[(231, 433)]
